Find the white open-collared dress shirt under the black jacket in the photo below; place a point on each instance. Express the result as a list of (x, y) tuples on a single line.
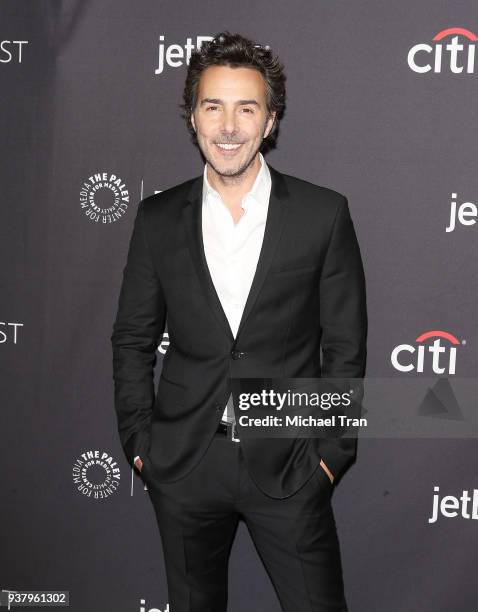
[(232, 249)]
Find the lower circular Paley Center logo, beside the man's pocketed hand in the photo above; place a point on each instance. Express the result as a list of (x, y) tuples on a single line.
[(96, 474)]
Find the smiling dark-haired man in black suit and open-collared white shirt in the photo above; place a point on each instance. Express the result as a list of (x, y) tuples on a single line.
[(255, 272)]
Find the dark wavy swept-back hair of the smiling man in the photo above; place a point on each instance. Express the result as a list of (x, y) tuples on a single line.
[(234, 50)]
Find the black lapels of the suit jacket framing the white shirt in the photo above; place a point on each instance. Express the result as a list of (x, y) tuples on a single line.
[(192, 218)]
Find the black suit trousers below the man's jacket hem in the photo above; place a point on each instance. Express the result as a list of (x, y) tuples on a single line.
[(295, 537)]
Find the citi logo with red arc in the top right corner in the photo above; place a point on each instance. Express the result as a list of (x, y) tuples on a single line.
[(448, 55)]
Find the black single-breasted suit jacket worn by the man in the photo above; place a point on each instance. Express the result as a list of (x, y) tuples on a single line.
[(308, 292)]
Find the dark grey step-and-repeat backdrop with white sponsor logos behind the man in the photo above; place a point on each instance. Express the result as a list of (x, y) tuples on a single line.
[(381, 106)]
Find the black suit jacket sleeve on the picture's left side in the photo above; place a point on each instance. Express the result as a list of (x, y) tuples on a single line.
[(137, 329)]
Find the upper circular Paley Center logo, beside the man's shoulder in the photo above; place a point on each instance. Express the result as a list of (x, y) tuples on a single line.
[(104, 197)]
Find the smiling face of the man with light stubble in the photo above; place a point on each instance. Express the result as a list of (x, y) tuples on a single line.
[(231, 109)]
